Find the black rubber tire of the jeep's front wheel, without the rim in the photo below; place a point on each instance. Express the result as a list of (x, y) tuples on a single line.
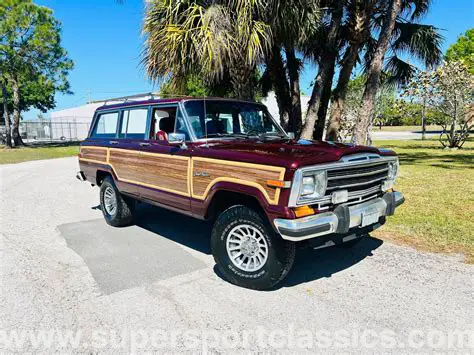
[(280, 257)]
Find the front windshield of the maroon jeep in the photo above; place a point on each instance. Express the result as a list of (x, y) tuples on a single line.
[(230, 119)]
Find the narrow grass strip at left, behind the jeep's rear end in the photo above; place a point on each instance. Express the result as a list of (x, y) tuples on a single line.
[(18, 155)]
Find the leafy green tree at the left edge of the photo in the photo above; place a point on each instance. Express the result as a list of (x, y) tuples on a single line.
[(31, 56)]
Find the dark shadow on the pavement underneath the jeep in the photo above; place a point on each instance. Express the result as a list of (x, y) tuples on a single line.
[(310, 264)]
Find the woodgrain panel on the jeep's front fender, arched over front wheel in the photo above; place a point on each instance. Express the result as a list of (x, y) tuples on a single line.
[(240, 173)]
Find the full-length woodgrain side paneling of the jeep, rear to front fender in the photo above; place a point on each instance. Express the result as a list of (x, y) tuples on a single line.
[(183, 175)]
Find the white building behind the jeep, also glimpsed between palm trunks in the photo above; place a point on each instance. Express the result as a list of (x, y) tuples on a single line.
[(73, 123)]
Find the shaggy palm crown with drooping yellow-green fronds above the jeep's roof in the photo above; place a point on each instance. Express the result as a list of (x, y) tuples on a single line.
[(206, 38)]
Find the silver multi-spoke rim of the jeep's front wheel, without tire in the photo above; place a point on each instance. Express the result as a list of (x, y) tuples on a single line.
[(247, 248)]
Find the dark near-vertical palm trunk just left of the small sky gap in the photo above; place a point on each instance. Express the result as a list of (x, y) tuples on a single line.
[(295, 113)]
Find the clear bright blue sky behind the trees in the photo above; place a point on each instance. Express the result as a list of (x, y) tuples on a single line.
[(103, 38)]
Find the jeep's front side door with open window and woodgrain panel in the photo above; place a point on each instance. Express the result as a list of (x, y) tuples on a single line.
[(164, 166)]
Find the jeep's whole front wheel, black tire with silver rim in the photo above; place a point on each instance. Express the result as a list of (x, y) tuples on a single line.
[(248, 252)]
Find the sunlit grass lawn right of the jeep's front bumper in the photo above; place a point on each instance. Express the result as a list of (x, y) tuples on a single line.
[(438, 184)]
